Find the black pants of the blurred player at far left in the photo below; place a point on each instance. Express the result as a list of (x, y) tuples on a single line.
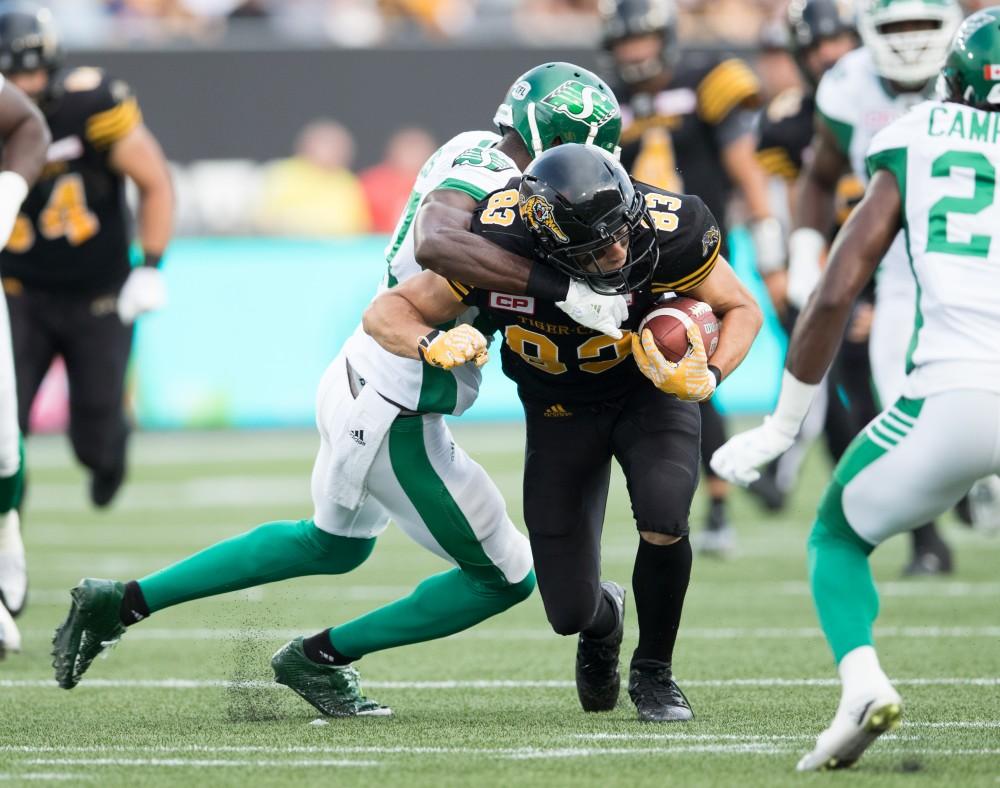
[(95, 346)]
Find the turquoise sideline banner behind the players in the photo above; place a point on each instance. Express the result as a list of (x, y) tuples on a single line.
[(251, 324)]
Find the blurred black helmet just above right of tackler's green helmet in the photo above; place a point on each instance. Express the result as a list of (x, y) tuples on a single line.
[(624, 19)]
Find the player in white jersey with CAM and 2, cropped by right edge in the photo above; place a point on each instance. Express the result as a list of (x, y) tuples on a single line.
[(933, 179)]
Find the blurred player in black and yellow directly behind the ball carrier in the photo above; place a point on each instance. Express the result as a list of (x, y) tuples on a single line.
[(688, 127)]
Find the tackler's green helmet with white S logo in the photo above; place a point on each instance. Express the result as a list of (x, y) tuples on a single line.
[(560, 102)]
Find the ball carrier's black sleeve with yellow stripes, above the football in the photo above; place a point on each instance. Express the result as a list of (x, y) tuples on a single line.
[(688, 255)]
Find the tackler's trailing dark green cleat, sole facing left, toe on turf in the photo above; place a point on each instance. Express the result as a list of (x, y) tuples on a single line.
[(91, 626)]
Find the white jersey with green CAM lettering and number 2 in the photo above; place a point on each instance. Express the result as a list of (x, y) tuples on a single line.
[(945, 157)]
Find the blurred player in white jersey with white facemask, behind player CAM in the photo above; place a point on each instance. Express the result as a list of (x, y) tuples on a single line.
[(904, 44)]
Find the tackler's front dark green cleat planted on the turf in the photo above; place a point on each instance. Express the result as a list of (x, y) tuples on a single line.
[(333, 689)]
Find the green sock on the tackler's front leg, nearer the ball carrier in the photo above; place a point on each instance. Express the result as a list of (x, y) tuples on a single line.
[(441, 605)]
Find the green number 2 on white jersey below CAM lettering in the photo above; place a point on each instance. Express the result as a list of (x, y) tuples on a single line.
[(982, 197)]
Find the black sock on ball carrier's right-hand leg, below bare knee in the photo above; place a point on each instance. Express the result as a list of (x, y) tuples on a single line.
[(659, 582)]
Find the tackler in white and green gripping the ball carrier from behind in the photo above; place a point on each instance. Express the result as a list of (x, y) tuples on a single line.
[(385, 449)]
